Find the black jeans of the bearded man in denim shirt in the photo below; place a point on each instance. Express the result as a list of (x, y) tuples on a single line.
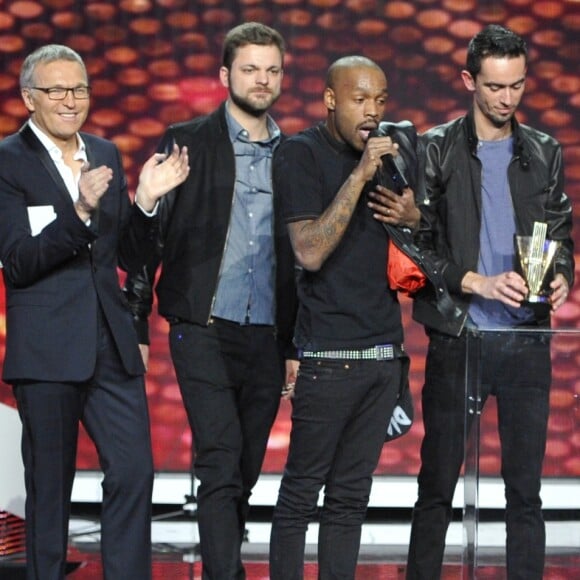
[(230, 377)]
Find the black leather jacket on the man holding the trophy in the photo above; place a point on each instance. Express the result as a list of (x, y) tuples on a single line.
[(451, 212)]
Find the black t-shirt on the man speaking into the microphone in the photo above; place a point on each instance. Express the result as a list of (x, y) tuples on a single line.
[(347, 304)]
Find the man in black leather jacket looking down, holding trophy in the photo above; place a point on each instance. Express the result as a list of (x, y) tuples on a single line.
[(498, 222)]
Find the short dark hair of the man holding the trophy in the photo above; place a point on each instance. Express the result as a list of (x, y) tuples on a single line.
[(494, 40)]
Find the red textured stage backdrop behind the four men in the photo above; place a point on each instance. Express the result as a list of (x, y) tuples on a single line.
[(152, 63)]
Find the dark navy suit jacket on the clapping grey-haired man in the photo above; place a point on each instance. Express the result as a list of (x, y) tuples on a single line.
[(56, 279)]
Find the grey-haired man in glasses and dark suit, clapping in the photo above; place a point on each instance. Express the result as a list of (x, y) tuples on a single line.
[(66, 223)]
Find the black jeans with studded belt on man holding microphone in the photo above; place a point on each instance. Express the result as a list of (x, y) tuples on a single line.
[(341, 410)]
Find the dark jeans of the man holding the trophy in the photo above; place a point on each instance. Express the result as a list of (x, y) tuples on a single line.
[(517, 370)]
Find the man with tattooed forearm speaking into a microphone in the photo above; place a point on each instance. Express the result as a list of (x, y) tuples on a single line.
[(348, 328)]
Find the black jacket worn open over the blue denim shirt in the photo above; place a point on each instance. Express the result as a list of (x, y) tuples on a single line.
[(193, 228)]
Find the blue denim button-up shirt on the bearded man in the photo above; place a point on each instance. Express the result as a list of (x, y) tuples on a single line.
[(245, 292)]
